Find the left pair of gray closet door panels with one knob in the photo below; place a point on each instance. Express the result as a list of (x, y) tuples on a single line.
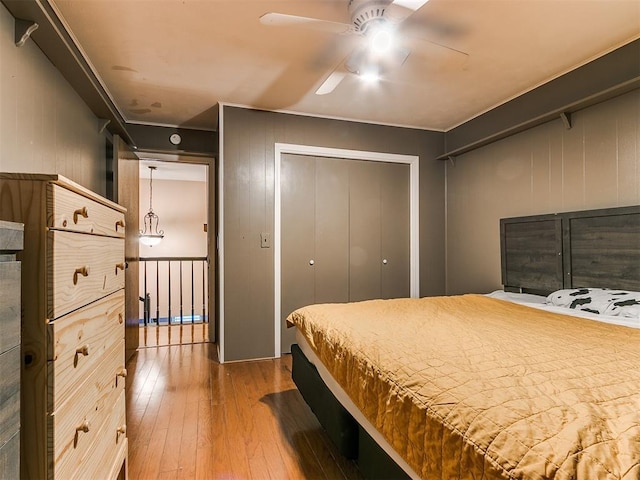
[(314, 234)]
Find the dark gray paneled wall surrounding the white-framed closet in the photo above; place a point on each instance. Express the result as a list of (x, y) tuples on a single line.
[(248, 138)]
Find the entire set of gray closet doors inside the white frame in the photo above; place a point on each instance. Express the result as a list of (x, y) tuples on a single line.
[(345, 231)]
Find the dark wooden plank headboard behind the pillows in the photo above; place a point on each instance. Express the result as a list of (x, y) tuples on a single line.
[(591, 248)]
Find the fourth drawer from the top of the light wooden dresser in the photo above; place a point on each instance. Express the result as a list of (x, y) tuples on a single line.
[(79, 422)]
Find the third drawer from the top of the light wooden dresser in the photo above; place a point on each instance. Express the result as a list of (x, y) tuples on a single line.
[(79, 342)]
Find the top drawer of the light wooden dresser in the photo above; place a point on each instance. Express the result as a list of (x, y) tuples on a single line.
[(68, 210)]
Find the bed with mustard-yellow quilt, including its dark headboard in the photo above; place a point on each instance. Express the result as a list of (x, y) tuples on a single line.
[(540, 380)]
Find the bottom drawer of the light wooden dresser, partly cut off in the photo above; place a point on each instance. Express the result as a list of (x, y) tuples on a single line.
[(106, 455)]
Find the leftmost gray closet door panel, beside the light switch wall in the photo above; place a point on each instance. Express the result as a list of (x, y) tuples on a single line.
[(297, 189)]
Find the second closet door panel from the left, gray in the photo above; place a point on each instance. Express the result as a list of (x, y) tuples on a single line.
[(332, 231)]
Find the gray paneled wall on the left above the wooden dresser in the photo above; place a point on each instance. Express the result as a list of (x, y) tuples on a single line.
[(44, 125)]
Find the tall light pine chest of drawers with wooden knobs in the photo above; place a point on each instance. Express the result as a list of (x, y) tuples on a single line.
[(73, 402)]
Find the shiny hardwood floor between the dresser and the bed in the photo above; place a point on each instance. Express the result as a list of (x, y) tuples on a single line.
[(191, 418)]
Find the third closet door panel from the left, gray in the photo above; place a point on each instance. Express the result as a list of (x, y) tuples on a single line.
[(364, 223)]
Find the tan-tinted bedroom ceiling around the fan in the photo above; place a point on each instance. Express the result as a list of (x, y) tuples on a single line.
[(169, 62)]
